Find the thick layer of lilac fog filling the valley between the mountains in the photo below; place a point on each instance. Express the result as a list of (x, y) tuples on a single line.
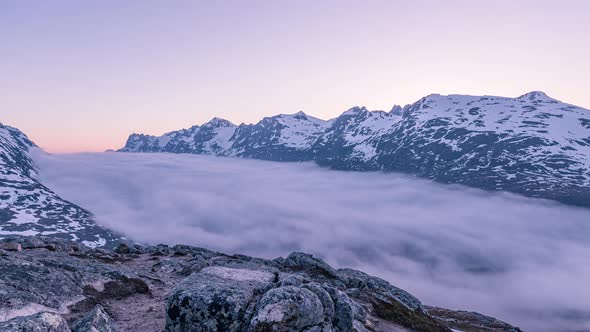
[(521, 260)]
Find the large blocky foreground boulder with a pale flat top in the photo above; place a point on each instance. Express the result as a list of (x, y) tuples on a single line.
[(215, 299)]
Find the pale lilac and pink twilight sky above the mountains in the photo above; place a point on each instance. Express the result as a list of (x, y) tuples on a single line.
[(82, 75)]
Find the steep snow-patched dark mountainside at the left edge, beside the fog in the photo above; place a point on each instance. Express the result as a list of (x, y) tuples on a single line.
[(27, 207)]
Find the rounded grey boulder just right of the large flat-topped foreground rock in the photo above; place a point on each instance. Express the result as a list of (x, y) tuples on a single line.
[(287, 309)]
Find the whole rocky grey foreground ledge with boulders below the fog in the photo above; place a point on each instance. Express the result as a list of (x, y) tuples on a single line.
[(54, 285)]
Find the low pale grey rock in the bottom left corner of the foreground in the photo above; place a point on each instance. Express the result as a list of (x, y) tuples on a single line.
[(41, 322)]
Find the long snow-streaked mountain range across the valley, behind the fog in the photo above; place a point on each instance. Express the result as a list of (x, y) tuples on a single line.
[(532, 145)]
